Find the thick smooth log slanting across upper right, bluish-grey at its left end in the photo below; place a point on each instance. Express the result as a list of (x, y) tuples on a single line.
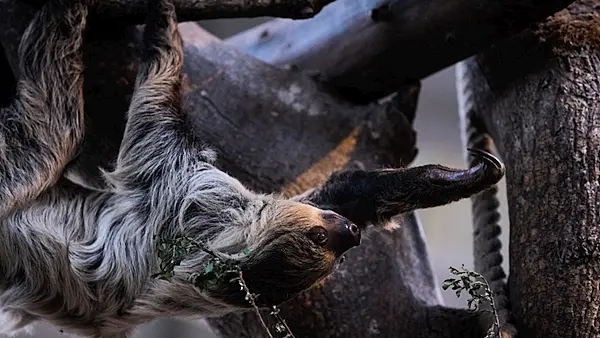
[(373, 47)]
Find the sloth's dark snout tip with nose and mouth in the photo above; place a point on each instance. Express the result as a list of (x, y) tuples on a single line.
[(342, 233)]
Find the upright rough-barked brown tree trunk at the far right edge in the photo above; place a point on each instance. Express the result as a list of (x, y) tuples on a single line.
[(538, 94)]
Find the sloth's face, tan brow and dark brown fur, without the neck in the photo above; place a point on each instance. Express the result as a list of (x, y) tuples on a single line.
[(298, 246)]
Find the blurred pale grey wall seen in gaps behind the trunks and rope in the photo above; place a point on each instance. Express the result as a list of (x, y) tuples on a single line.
[(447, 228)]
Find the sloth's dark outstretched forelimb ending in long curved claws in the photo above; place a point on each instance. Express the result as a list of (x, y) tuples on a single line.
[(373, 197)]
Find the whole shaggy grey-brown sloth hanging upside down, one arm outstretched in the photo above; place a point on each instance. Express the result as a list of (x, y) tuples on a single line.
[(86, 261)]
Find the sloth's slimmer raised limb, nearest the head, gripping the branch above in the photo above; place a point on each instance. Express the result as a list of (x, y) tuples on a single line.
[(156, 142)]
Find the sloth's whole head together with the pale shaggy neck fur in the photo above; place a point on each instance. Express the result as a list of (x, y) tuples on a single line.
[(292, 245)]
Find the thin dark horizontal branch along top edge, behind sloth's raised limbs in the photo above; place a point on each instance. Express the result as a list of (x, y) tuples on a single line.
[(134, 11)]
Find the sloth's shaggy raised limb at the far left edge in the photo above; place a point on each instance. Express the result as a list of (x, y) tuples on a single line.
[(40, 131)]
